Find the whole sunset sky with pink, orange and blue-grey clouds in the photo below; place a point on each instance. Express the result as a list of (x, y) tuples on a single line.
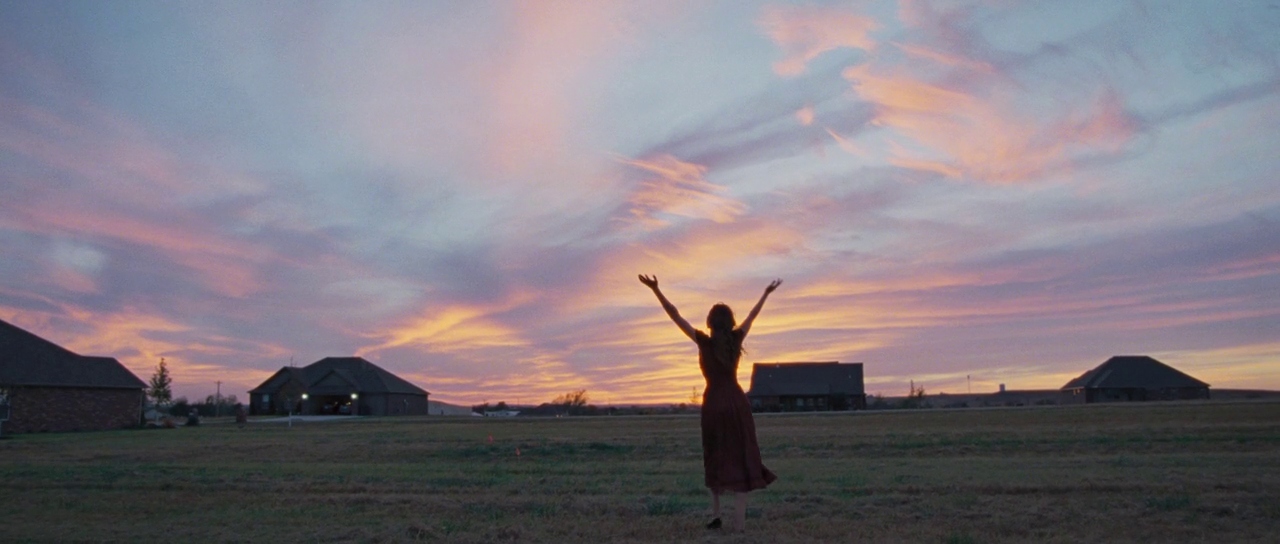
[(464, 193)]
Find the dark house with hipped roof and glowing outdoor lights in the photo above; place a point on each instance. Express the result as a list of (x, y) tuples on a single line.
[(339, 386)]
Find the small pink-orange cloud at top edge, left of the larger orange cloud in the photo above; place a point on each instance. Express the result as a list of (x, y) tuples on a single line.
[(806, 33)]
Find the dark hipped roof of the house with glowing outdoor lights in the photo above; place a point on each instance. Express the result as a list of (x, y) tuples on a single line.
[(340, 376)]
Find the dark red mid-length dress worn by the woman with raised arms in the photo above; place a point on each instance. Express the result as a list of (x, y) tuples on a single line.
[(732, 455)]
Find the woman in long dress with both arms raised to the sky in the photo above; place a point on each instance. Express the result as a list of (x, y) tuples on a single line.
[(732, 456)]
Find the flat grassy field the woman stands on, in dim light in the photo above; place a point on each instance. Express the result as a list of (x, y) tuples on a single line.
[(1145, 473)]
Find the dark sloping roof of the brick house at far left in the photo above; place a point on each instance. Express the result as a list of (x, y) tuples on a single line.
[(30, 360)]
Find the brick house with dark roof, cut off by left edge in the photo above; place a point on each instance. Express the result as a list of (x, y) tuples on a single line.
[(48, 388)]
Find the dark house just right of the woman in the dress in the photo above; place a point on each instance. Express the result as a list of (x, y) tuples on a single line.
[(784, 387)]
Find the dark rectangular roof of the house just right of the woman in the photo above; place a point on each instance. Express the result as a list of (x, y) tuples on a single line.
[(776, 380)]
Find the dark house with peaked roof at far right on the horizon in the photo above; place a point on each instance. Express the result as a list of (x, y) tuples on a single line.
[(1133, 378)]
